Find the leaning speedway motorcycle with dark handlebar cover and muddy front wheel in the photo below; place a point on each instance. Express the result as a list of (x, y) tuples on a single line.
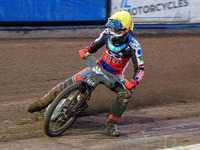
[(67, 106)]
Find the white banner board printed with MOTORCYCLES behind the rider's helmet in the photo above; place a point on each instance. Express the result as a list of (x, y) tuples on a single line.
[(160, 11)]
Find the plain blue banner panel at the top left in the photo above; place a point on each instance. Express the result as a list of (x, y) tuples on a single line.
[(52, 10)]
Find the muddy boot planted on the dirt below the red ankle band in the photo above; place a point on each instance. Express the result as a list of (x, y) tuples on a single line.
[(111, 128)]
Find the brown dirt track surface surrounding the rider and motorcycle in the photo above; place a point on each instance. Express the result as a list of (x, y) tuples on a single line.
[(165, 111)]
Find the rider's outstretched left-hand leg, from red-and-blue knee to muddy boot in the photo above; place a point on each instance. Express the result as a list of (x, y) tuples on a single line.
[(49, 97)]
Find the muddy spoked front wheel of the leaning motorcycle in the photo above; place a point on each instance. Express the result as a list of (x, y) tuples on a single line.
[(64, 110)]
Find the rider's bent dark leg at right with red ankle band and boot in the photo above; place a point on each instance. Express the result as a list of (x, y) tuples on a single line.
[(117, 109)]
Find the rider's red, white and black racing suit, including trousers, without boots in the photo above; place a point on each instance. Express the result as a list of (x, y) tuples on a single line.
[(116, 64)]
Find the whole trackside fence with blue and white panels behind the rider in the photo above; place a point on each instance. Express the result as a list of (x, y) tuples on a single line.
[(94, 13)]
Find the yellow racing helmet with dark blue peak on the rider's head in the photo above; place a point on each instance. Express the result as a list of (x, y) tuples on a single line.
[(120, 26)]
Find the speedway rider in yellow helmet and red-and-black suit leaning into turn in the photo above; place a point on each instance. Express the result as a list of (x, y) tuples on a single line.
[(120, 48)]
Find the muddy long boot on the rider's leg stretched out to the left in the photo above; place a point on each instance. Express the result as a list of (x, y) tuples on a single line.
[(40, 104)]
